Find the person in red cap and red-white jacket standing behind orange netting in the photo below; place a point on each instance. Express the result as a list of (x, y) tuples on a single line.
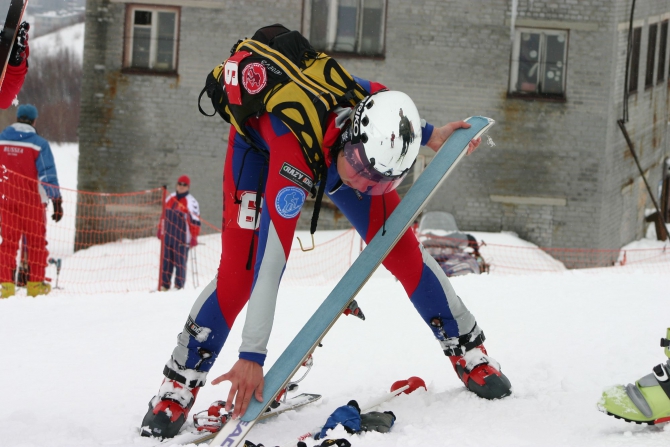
[(178, 229)]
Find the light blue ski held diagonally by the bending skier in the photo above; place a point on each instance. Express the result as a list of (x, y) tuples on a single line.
[(446, 159)]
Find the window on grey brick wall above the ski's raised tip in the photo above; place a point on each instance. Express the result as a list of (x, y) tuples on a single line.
[(539, 62)]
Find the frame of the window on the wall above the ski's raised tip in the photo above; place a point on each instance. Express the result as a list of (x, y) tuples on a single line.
[(512, 91)]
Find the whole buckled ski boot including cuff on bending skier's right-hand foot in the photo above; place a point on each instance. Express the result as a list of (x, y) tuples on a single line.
[(479, 373)]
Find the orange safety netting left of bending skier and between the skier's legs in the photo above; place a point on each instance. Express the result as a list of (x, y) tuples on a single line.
[(110, 243)]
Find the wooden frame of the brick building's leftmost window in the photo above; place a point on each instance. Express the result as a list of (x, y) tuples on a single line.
[(129, 39)]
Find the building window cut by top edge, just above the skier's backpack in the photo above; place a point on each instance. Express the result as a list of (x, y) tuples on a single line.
[(346, 26)]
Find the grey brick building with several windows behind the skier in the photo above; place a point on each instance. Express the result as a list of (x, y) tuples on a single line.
[(551, 74)]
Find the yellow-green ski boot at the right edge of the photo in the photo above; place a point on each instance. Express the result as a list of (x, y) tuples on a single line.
[(645, 402)]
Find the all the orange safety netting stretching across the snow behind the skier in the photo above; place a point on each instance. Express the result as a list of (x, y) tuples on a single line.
[(109, 243)]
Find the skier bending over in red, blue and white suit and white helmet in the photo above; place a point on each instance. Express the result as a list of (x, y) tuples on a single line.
[(265, 155)]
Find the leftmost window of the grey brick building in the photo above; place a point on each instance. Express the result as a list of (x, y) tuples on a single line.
[(151, 38)]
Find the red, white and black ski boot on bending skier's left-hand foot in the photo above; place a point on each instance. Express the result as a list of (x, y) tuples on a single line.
[(168, 410)]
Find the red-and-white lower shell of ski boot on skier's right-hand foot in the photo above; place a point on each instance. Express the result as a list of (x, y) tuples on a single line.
[(481, 374)]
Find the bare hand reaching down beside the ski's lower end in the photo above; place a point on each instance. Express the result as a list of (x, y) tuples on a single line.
[(246, 379)]
